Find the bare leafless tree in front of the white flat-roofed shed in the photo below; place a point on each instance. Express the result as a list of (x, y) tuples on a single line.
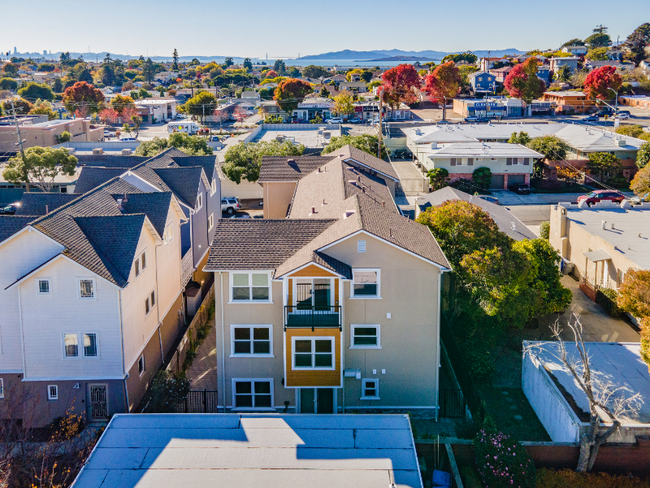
[(615, 403)]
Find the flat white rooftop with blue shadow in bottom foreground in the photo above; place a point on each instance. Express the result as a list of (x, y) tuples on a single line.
[(253, 450)]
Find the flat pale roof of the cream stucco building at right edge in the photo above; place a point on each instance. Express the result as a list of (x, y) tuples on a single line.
[(626, 229)]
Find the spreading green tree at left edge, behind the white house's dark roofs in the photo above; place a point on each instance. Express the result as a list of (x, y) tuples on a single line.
[(40, 167)]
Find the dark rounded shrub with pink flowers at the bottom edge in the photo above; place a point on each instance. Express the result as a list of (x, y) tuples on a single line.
[(502, 462)]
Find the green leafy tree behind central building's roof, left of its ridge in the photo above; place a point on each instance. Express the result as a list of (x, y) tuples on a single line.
[(244, 160)]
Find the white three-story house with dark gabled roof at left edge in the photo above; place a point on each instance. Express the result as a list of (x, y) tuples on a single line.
[(92, 301)]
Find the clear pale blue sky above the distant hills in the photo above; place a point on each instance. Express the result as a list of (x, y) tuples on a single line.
[(283, 28)]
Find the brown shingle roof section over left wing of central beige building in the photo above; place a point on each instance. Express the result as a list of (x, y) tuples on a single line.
[(260, 244)]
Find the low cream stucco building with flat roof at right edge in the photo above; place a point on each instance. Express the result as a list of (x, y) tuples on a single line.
[(603, 242)]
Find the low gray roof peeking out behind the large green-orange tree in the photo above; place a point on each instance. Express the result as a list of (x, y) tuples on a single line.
[(503, 218)]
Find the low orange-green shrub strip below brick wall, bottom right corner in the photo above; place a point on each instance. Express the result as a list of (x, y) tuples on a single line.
[(565, 478)]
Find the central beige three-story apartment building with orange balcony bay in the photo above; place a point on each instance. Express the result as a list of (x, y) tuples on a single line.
[(323, 311)]
